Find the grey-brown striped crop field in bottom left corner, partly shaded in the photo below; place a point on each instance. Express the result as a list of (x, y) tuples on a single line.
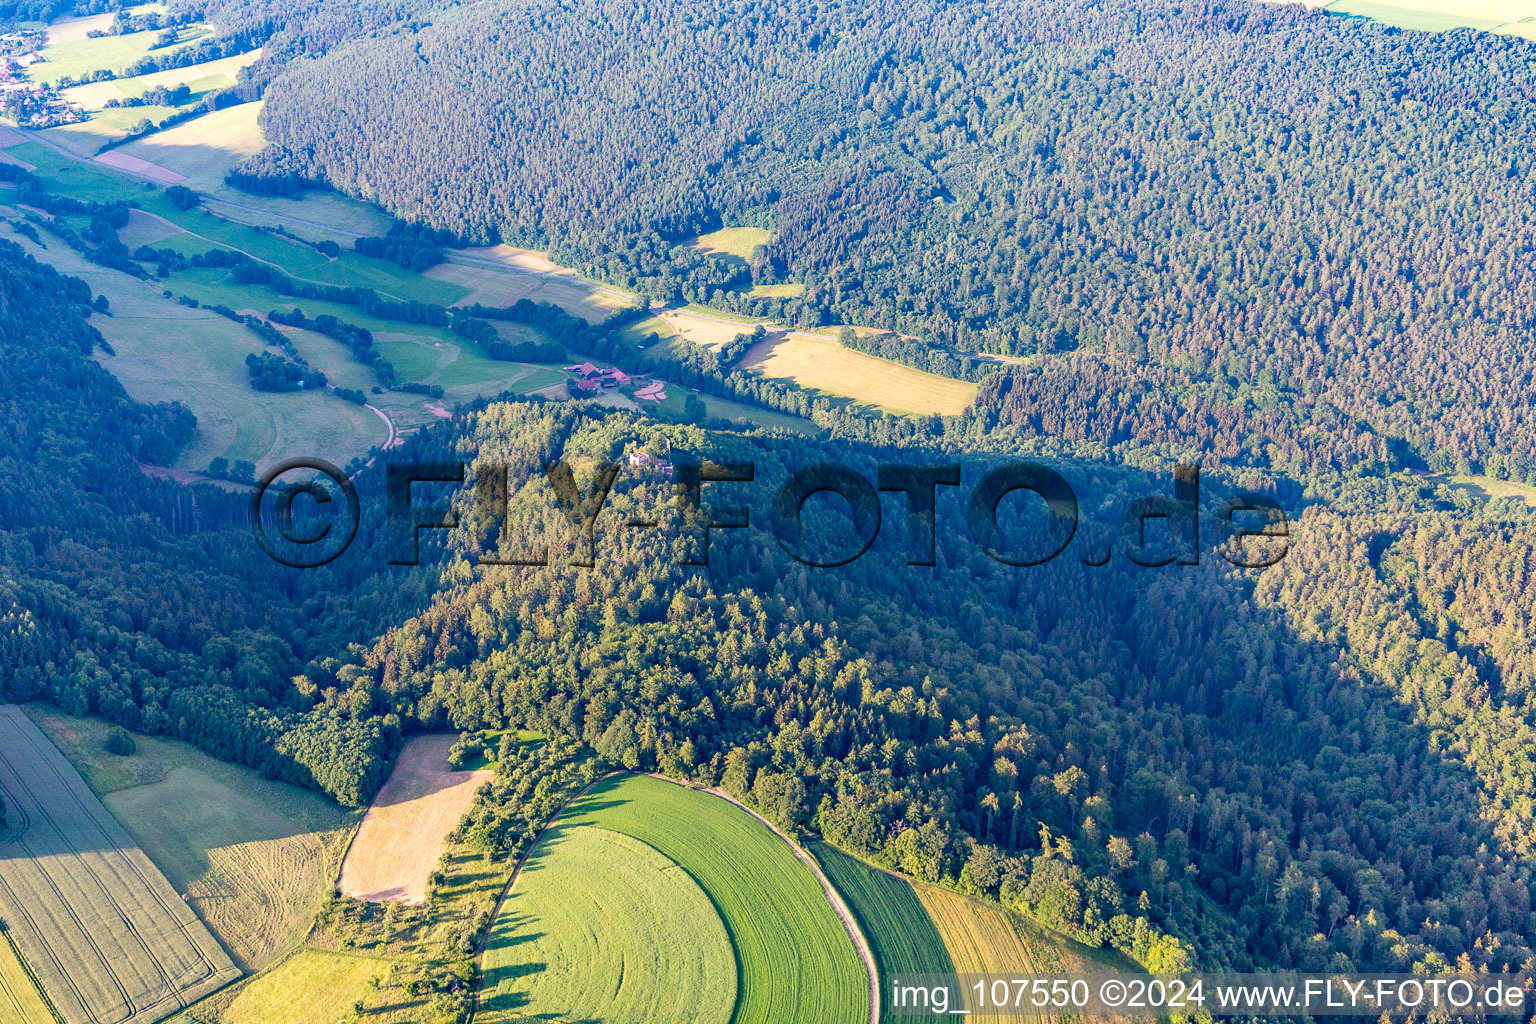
[(102, 928)]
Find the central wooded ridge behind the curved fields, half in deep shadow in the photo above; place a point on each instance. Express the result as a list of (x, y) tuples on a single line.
[(1182, 764)]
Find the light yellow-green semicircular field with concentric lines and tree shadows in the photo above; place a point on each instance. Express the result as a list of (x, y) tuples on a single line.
[(600, 927)]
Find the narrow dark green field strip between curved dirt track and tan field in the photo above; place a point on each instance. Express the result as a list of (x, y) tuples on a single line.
[(895, 922)]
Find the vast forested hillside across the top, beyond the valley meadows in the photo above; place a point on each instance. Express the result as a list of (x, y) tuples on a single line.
[(1309, 214)]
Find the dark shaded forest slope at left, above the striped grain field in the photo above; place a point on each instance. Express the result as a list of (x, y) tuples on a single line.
[(133, 598)]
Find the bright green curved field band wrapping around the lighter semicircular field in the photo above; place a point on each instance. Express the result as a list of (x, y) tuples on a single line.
[(796, 963)]
